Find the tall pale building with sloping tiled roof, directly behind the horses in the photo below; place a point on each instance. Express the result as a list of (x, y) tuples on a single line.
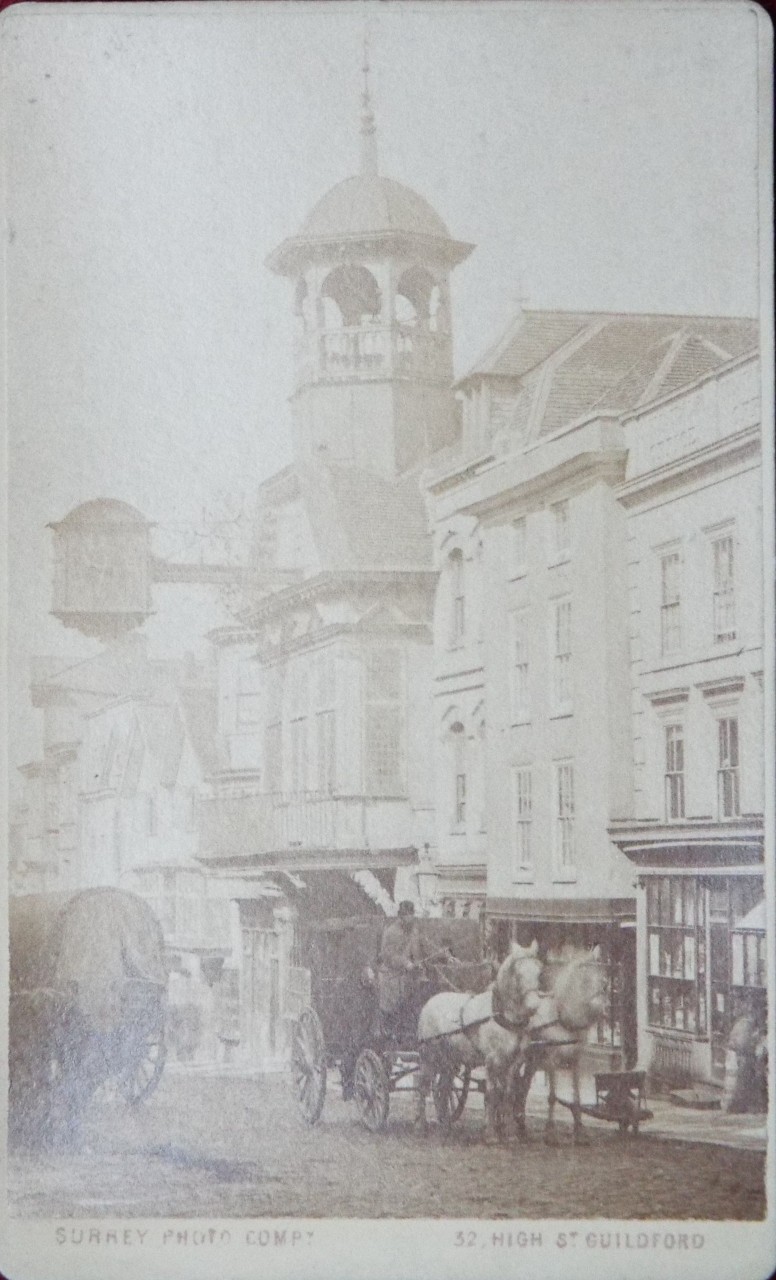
[(533, 652)]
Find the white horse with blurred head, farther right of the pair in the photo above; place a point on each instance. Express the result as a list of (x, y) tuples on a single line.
[(576, 986)]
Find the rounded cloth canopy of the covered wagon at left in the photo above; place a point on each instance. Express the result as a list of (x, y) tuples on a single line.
[(89, 947)]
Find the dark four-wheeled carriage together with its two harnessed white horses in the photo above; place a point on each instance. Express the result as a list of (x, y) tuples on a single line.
[(457, 1032)]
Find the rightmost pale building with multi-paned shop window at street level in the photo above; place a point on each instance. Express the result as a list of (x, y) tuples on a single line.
[(693, 501)]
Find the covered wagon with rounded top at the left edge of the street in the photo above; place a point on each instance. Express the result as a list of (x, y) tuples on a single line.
[(88, 1004)]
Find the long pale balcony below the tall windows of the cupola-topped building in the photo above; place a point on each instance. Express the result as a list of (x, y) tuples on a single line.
[(300, 828)]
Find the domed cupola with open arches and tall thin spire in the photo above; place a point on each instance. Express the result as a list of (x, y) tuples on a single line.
[(373, 350)]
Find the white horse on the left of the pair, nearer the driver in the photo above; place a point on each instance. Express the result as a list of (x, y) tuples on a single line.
[(460, 1031)]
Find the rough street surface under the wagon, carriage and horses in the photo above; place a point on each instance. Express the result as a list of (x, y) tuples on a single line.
[(235, 1148)]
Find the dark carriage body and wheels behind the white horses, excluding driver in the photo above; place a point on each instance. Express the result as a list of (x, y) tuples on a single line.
[(377, 1050)]
